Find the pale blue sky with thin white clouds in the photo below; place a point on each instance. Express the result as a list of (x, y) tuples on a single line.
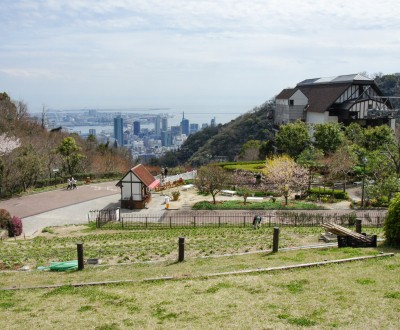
[(211, 56)]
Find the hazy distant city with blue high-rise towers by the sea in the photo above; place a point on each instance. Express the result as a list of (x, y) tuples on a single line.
[(146, 135)]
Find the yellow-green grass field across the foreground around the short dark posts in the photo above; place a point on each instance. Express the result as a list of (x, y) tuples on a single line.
[(356, 295)]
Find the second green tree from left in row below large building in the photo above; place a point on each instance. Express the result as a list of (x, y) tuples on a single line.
[(328, 137)]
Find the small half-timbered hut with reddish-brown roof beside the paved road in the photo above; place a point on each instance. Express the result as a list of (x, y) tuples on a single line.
[(136, 187)]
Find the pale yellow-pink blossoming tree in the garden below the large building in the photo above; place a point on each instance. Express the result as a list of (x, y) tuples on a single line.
[(286, 175)]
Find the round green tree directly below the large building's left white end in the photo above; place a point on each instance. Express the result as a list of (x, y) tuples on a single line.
[(293, 138)]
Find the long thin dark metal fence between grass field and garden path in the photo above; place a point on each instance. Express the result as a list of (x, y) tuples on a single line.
[(173, 219)]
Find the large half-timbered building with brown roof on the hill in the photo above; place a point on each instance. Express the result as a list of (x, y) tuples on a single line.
[(343, 99)]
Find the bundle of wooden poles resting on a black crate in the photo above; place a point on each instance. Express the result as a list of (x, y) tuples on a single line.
[(349, 238)]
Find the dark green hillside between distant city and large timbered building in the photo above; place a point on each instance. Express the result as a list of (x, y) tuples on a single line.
[(226, 140)]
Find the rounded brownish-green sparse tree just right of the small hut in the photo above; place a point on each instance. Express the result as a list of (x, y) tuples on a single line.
[(212, 179)]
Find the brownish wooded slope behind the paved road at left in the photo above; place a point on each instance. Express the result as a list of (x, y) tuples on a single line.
[(31, 156)]
